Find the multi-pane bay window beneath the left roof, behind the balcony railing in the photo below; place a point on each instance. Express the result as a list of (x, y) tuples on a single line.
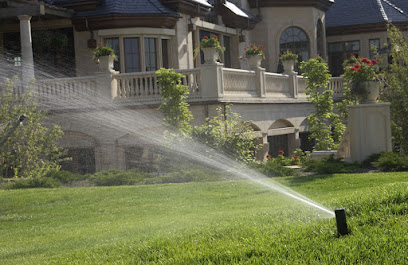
[(139, 53)]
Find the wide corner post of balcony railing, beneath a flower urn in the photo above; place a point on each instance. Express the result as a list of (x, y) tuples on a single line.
[(211, 81)]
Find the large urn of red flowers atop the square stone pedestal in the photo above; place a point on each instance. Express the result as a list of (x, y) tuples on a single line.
[(363, 79)]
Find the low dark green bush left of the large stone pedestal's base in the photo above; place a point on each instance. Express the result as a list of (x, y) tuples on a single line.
[(330, 165)]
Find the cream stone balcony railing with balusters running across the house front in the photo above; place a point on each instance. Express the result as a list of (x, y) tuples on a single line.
[(208, 83)]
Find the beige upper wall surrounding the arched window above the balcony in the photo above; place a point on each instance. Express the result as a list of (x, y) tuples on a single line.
[(274, 21)]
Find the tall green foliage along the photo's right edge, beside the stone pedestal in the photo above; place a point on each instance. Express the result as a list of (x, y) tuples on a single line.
[(396, 88)]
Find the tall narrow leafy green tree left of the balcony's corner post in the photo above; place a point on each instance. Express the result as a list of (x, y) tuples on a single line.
[(175, 108)]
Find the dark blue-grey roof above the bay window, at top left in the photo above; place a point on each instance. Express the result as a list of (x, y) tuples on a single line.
[(128, 7)]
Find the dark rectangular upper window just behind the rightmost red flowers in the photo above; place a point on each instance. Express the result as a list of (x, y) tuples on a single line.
[(338, 52)]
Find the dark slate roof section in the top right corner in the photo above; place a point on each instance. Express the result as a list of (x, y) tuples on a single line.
[(352, 12)]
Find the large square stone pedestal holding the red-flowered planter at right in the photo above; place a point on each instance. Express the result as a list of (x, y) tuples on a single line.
[(369, 128)]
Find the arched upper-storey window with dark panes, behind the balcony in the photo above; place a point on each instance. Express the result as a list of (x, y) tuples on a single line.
[(295, 39)]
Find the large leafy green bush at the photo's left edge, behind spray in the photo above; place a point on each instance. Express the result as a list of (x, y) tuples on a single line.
[(31, 151)]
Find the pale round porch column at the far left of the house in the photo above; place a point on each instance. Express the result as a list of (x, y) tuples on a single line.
[(26, 48)]
